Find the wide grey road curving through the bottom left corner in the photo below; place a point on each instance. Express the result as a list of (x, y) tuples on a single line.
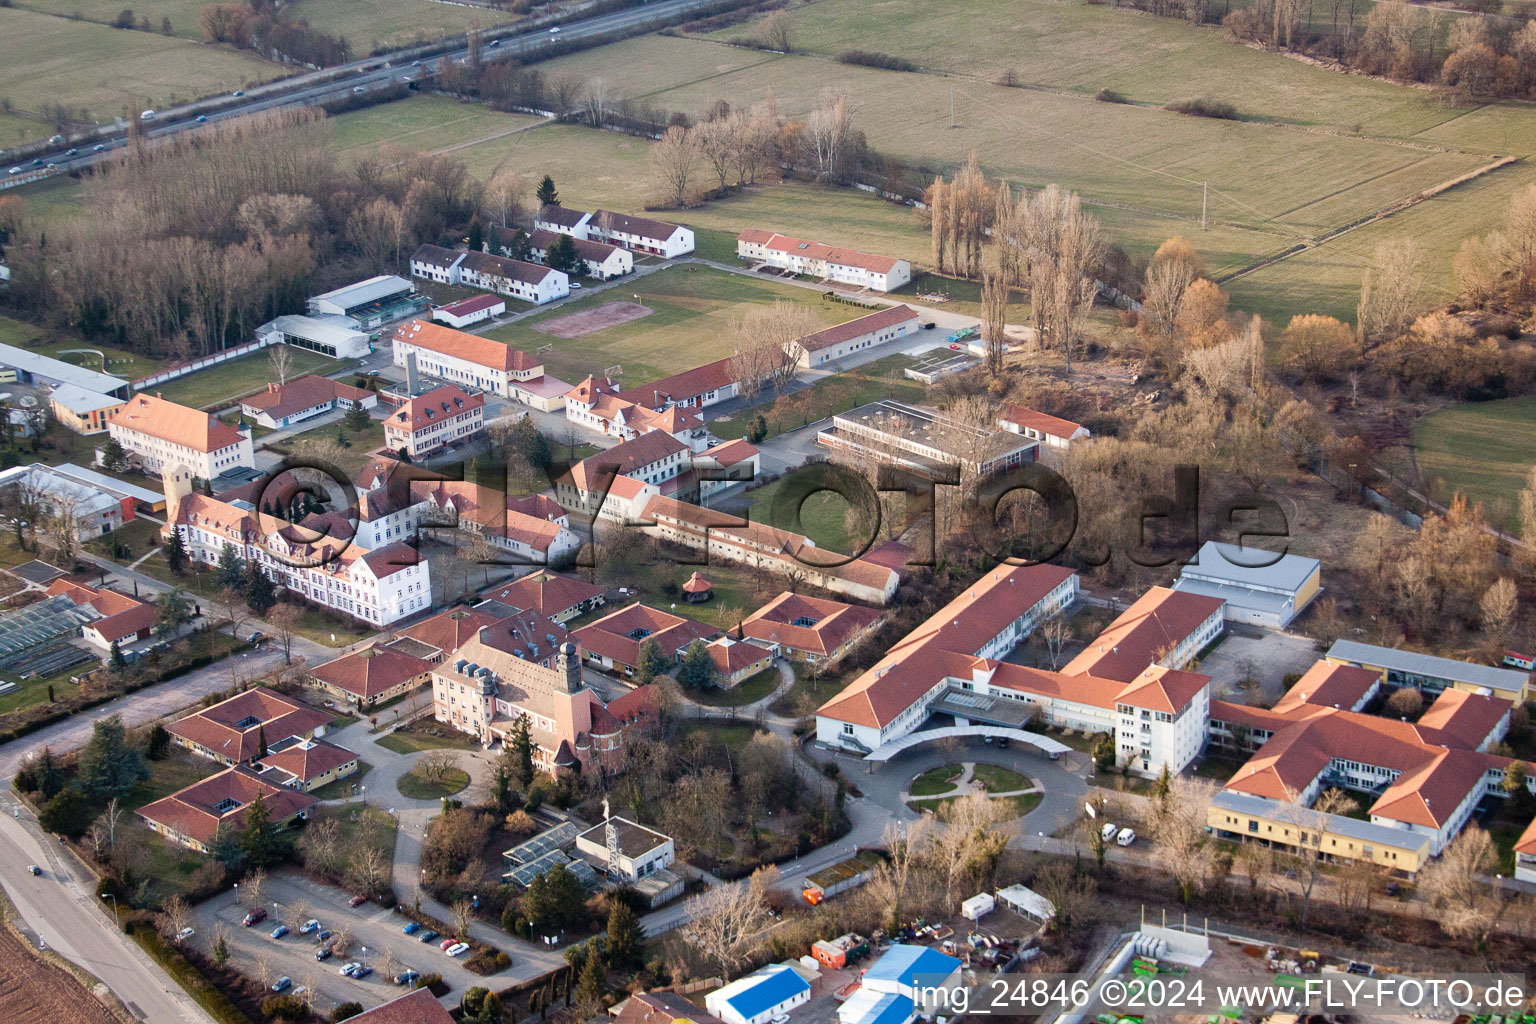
[(59, 908)]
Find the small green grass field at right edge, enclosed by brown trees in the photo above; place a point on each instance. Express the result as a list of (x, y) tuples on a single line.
[(1483, 451)]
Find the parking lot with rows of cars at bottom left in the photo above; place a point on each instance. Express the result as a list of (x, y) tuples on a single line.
[(294, 956)]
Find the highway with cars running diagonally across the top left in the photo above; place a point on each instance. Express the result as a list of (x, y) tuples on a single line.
[(365, 76)]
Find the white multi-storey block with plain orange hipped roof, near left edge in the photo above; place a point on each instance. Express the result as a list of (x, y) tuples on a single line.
[(159, 435)]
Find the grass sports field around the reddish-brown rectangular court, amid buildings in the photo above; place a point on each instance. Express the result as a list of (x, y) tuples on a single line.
[(692, 325)]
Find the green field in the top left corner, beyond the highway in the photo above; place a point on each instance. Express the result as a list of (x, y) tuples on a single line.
[(110, 73)]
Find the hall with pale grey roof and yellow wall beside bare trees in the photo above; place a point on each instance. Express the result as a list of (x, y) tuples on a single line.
[(1262, 589)]
